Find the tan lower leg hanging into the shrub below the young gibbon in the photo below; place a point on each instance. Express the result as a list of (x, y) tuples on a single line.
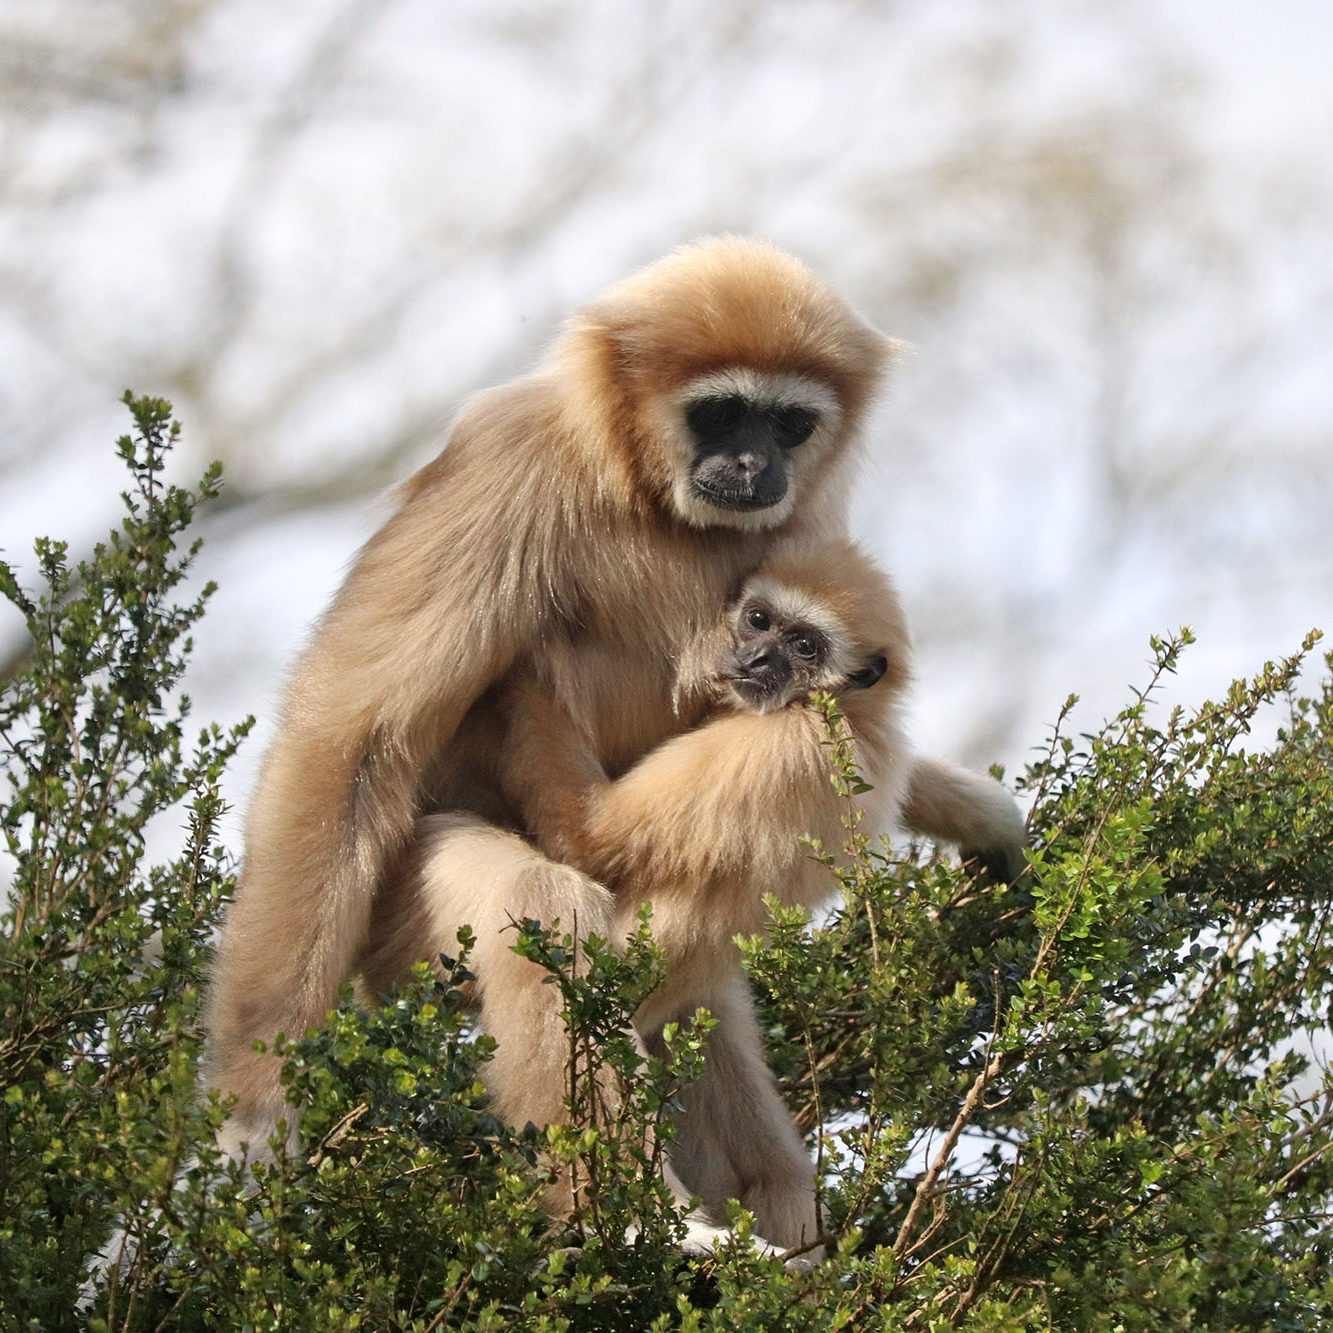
[(736, 1138)]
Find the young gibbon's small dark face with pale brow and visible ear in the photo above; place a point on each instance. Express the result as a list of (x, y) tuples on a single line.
[(786, 647)]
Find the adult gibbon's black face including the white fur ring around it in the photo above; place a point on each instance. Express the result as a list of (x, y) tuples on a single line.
[(743, 443)]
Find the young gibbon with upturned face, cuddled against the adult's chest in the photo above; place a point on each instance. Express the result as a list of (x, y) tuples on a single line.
[(707, 824)]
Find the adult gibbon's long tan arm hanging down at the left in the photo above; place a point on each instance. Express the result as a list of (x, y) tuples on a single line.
[(433, 614)]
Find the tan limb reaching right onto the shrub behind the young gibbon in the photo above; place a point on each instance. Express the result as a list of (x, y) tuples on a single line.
[(975, 812)]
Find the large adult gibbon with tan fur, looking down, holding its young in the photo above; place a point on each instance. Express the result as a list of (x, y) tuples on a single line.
[(599, 511)]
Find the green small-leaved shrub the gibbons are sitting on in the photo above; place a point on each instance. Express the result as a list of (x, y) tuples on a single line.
[(1082, 1103)]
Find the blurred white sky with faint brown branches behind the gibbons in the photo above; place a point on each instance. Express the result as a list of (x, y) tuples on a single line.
[(318, 227)]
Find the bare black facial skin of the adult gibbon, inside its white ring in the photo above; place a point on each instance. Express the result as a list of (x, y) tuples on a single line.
[(743, 449)]
